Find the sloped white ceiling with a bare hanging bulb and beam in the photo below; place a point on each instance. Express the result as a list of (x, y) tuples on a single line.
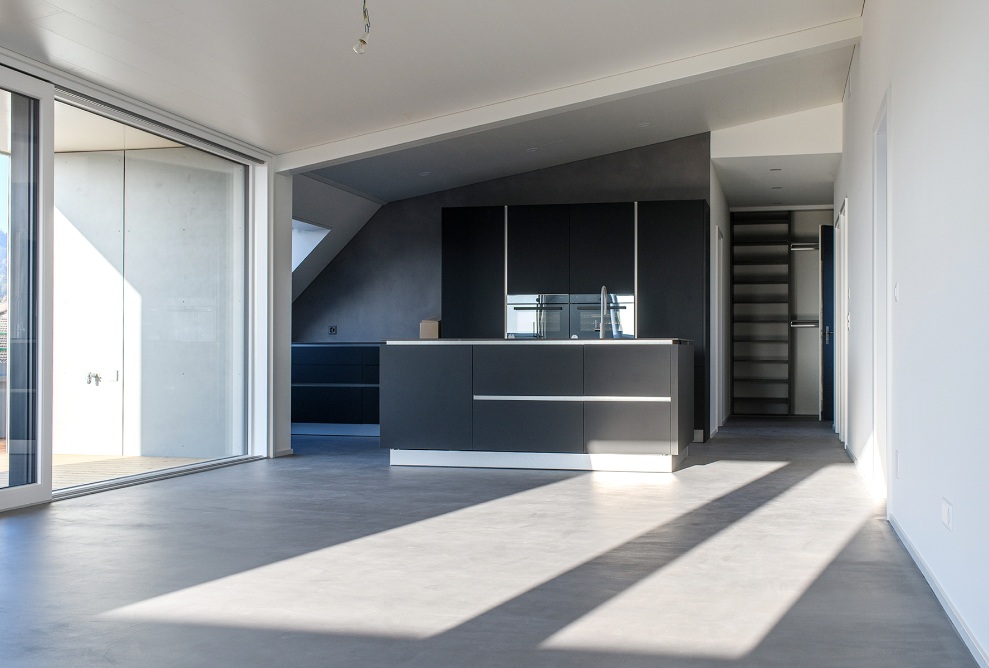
[(283, 77)]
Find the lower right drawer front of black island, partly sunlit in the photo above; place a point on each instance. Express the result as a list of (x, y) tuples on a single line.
[(627, 428)]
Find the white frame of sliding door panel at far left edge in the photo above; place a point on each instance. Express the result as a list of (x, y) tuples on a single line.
[(43, 92)]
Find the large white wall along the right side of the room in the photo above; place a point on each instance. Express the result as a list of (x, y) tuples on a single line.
[(931, 60)]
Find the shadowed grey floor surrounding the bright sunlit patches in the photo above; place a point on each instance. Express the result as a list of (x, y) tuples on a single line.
[(869, 606)]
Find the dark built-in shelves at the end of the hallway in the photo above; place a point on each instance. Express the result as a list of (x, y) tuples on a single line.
[(762, 377)]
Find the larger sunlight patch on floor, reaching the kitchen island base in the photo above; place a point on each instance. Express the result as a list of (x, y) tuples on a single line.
[(425, 578)]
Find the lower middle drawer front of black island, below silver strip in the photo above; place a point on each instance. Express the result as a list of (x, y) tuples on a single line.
[(528, 426)]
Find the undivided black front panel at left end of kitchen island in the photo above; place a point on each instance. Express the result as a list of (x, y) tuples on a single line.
[(426, 397)]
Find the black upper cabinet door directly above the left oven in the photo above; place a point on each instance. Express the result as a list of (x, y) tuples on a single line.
[(539, 250)]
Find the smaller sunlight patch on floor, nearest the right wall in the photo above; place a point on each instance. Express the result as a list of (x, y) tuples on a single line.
[(722, 598)]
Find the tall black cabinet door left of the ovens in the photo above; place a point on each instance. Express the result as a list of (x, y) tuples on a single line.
[(473, 275)]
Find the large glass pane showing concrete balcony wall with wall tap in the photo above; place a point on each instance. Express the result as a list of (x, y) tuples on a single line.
[(149, 289)]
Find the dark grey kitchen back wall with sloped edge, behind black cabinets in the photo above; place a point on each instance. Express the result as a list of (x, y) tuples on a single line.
[(387, 278)]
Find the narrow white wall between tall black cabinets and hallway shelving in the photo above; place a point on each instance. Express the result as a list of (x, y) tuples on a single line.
[(720, 305)]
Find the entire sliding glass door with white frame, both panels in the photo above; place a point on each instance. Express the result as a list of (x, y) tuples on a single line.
[(123, 298)]
